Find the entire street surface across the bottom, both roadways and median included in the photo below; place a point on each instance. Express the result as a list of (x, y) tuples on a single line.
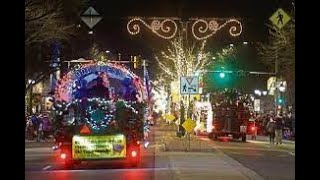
[(225, 160)]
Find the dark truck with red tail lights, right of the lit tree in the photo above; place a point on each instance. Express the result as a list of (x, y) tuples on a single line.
[(231, 114)]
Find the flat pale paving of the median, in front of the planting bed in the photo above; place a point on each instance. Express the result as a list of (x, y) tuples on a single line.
[(206, 166)]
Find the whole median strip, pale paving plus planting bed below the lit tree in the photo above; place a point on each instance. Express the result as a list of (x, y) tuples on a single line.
[(201, 161)]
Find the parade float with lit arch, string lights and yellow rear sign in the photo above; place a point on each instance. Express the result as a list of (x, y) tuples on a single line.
[(100, 112)]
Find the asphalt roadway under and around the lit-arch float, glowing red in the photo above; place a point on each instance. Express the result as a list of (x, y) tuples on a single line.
[(43, 163)]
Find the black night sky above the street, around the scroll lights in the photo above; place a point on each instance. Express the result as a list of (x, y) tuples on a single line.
[(111, 32)]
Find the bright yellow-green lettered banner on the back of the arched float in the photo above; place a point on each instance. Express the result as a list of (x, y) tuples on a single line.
[(98, 147)]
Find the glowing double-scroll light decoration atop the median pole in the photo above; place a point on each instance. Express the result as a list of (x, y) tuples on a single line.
[(201, 28)]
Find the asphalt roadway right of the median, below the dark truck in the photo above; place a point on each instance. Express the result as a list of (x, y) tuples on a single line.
[(270, 161)]
